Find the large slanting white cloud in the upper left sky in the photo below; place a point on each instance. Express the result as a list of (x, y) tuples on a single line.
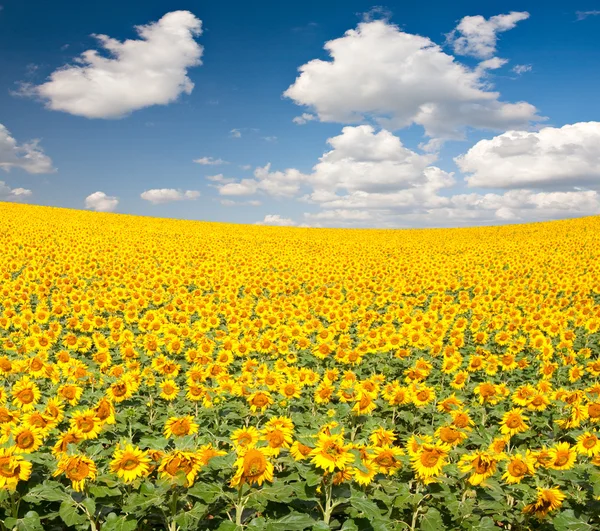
[(136, 73)]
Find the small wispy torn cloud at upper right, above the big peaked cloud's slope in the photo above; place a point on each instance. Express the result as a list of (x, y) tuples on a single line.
[(478, 36)]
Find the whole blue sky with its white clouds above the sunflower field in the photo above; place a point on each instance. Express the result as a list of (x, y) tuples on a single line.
[(251, 53)]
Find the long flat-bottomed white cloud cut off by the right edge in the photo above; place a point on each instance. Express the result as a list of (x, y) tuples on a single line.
[(558, 157)]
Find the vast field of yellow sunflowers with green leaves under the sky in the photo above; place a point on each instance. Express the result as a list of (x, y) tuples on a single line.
[(164, 374)]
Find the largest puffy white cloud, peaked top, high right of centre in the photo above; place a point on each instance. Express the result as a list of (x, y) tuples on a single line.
[(378, 71)]
